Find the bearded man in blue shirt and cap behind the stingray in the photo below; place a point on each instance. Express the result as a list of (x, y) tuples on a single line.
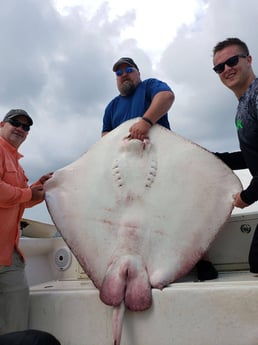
[(149, 99)]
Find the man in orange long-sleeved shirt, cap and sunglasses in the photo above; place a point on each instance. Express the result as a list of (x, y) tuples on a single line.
[(15, 196)]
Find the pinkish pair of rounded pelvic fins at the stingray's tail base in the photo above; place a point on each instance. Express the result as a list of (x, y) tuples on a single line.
[(127, 280)]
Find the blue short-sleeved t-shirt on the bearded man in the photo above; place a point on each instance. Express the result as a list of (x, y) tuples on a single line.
[(123, 108)]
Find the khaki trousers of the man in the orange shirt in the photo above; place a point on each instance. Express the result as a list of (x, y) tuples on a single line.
[(14, 296)]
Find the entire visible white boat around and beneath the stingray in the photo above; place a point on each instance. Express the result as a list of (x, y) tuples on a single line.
[(222, 311)]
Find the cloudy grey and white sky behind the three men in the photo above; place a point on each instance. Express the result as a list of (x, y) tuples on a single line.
[(56, 63)]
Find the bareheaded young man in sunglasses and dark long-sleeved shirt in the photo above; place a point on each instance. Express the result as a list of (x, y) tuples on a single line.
[(233, 64)]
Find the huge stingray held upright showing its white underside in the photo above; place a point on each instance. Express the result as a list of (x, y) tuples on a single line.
[(139, 214)]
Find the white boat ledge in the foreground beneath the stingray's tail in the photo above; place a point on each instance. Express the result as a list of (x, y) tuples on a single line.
[(219, 312)]
